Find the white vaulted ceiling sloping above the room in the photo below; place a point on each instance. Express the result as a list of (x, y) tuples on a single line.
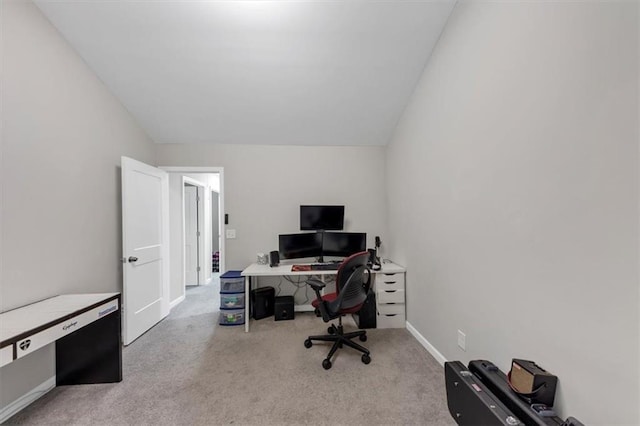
[(261, 72)]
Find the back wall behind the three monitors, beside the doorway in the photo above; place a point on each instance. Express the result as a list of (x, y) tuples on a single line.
[(265, 185)]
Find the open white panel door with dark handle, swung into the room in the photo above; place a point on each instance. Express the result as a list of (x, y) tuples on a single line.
[(145, 246)]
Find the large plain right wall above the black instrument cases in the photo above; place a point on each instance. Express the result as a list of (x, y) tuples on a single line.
[(513, 196)]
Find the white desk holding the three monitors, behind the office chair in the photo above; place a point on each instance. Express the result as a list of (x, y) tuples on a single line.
[(256, 270)]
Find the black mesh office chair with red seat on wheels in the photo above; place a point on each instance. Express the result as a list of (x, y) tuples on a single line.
[(352, 284)]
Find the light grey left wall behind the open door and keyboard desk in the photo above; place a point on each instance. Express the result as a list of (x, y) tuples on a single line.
[(62, 137)]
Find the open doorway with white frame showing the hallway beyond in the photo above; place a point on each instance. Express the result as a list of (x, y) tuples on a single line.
[(196, 198)]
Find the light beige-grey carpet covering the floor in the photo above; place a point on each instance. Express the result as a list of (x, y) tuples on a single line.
[(188, 370)]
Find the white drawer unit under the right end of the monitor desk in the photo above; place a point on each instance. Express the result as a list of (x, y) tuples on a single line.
[(390, 298)]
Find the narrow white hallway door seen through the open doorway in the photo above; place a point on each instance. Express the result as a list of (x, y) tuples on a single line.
[(191, 234)]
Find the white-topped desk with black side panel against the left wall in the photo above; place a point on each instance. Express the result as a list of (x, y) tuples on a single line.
[(85, 328)]
